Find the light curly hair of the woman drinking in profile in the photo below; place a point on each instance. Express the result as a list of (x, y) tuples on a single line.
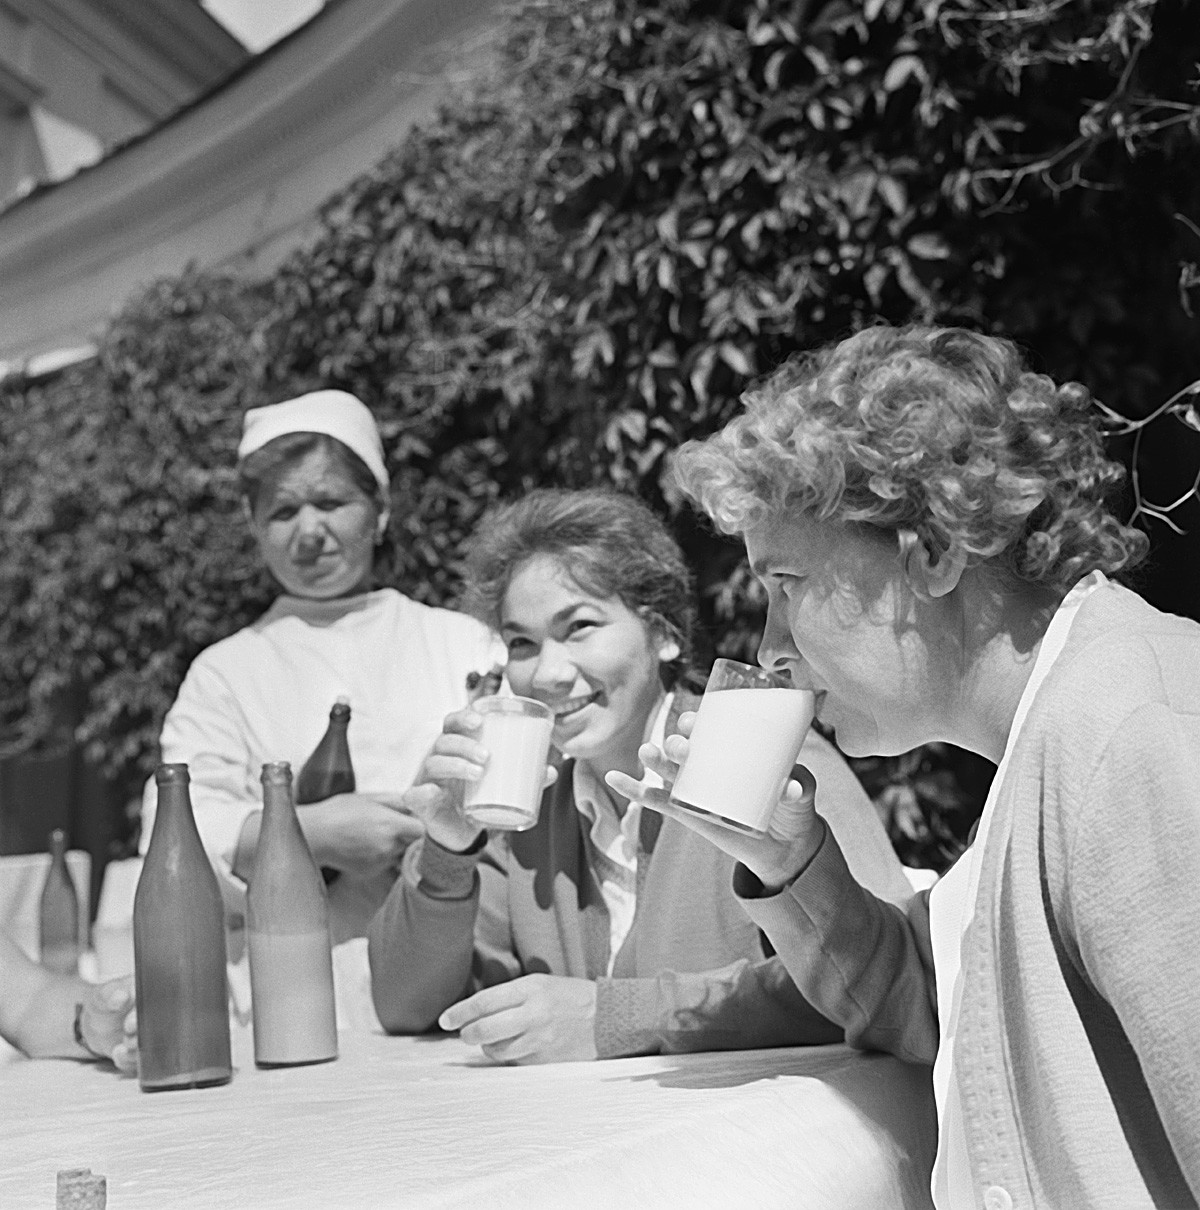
[(941, 433)]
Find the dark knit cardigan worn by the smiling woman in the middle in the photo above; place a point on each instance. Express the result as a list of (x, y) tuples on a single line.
[(693, 975)]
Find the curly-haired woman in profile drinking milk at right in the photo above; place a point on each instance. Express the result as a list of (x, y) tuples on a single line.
[(930, 520)]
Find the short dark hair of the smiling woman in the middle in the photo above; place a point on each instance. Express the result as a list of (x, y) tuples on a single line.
[(610, 544)]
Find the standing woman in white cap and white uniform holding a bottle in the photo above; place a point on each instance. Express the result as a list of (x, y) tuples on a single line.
[(316, 494)]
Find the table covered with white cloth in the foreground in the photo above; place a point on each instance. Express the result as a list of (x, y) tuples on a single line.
[(428, 1125)]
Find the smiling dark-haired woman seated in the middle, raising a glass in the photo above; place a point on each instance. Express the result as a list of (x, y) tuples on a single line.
[(602, 931)]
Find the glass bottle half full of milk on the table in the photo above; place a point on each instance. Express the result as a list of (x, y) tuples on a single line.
[(292, 973)]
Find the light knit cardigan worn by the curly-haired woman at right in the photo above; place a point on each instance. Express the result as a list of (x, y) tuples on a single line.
[(1078, 1053)]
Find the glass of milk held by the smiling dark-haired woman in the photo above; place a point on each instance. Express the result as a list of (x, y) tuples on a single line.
[(517, 735)]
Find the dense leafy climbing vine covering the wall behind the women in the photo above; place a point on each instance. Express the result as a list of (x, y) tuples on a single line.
[(580, 264)]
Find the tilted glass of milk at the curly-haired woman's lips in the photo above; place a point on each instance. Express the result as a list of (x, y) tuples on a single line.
[(743, 746)]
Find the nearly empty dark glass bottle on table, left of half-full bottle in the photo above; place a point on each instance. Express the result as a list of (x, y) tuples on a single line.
[(180, 952)]
